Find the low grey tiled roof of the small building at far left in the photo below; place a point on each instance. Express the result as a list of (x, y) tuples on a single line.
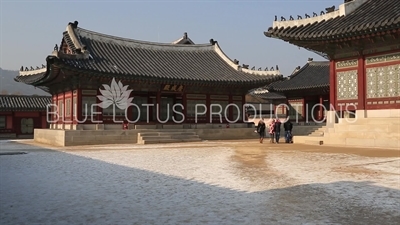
[(24, 103)]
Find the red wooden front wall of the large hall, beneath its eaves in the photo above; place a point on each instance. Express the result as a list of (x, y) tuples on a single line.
[(74, 107)]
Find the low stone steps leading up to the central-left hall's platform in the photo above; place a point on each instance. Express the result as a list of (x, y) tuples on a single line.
[(157, 137)]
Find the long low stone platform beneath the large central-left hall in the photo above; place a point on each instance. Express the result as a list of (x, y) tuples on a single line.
[(130, 136)]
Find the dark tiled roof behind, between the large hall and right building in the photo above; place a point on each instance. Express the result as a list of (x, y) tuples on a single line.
[(311, 75)]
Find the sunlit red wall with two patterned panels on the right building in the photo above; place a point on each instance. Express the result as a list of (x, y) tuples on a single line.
[(367, 82)]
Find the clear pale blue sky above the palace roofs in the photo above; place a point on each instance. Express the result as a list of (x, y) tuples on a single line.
[(30, 29)]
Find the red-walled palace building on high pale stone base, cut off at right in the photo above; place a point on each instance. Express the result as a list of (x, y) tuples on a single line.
[(361, 40)]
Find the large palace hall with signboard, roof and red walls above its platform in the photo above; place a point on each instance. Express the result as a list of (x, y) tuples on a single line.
[(88, 65)]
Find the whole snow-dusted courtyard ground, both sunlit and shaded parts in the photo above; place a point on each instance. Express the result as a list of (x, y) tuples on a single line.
[(238, 182)]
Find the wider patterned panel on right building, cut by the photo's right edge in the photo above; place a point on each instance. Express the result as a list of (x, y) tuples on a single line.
[(383, 82)]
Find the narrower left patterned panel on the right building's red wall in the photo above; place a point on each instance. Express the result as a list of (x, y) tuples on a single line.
[(347, 85)]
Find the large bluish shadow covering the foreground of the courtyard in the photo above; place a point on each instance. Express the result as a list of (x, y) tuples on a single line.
[(52, 187)]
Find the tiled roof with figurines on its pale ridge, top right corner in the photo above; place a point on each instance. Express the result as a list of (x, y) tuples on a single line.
[(368, 17)]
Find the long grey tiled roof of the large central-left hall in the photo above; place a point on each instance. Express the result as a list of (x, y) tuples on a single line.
[(115, 56)]
